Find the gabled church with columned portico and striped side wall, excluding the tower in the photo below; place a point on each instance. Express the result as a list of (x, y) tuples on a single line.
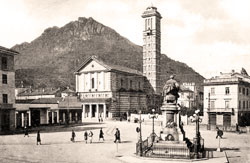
[(108, 91)]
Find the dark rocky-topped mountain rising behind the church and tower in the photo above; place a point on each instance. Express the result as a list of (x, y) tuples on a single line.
[(51, 59)]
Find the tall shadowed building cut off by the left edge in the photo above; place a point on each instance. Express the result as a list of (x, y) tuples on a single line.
[(7, 89)]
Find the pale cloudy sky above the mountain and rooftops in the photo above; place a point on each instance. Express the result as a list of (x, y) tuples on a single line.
[(211, 36)]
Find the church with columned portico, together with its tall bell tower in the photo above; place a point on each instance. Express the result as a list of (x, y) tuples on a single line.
[(109, 91)]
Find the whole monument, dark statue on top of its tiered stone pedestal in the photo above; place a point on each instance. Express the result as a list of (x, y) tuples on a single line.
[(171, 142)]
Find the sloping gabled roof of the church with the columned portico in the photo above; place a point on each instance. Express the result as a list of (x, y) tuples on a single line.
[(109, 66)]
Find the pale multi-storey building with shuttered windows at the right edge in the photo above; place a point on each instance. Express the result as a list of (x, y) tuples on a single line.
[(227, 100)]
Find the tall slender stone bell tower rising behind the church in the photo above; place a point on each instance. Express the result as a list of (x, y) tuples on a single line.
[(152, 47)]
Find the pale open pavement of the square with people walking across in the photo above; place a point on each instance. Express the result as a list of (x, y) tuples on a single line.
[(57, 147)]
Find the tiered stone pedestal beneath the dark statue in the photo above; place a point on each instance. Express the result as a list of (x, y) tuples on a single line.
[(171, 143)]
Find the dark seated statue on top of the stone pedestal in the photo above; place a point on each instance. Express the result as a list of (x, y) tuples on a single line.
[(170, 91)]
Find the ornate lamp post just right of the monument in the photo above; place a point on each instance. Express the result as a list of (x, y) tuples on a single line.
[(197, 138)]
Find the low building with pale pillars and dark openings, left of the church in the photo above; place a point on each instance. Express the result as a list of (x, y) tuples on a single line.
[(35, 107)]
